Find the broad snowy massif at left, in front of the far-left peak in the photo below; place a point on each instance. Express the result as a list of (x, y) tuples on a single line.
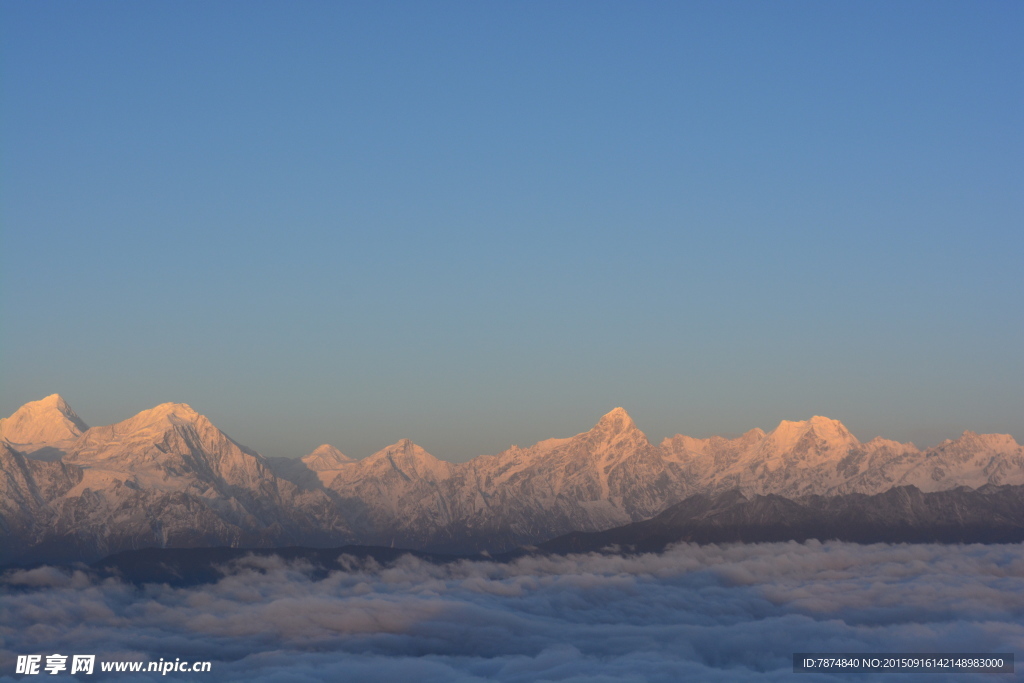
[(165, 478)]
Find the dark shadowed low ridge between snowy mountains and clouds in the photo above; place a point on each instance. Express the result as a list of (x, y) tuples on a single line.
[(905, 515)]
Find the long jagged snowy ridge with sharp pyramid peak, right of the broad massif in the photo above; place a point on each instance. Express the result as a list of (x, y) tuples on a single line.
[(612, 476)]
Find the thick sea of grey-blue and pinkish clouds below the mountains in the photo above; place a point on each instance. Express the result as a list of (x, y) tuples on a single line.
[(733, 613)]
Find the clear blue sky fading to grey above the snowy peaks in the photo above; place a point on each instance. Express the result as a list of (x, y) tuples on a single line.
[(478, 225)]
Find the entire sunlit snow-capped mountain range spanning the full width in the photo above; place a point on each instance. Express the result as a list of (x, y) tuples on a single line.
[(169, 478)]
